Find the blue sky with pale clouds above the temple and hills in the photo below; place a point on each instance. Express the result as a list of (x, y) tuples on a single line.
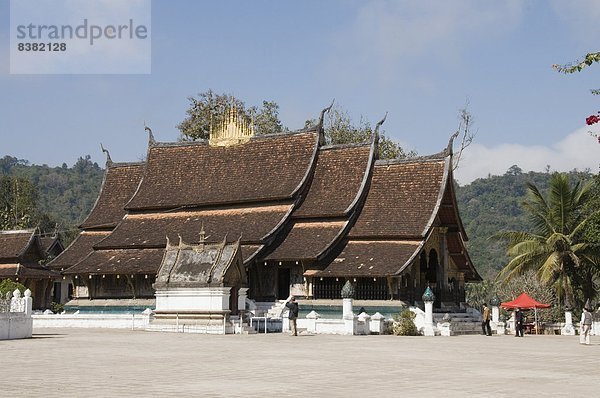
[(421, 61)]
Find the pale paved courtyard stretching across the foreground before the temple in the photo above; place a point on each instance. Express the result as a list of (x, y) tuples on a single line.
[(121, 363)]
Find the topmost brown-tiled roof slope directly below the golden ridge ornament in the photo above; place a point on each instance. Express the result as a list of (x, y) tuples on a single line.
[(267, 168)]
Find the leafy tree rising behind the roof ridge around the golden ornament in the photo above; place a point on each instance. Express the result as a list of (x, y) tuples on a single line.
[(210, 108)]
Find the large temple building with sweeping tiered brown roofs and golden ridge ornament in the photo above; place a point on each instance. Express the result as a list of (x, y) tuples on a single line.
[(306, 216)]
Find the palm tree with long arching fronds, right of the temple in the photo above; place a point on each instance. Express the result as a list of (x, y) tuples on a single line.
[(554, 248)]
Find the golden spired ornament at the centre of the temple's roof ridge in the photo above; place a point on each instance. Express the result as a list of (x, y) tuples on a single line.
[(232, 130)]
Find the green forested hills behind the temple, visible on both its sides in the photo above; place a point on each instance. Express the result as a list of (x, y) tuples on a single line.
[(65, 195)]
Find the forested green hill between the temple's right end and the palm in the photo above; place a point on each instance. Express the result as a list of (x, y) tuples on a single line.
[(489, 205)]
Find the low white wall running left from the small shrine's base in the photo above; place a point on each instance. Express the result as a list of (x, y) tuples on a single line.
[(108, 321)]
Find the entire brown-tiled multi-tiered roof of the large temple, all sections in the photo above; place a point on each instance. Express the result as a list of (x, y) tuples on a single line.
[(285, 197)]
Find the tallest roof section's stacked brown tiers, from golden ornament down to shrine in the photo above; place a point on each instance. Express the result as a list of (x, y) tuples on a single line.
[(245, 191)]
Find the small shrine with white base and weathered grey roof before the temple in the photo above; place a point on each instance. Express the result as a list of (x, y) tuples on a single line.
[(200, 285)]
